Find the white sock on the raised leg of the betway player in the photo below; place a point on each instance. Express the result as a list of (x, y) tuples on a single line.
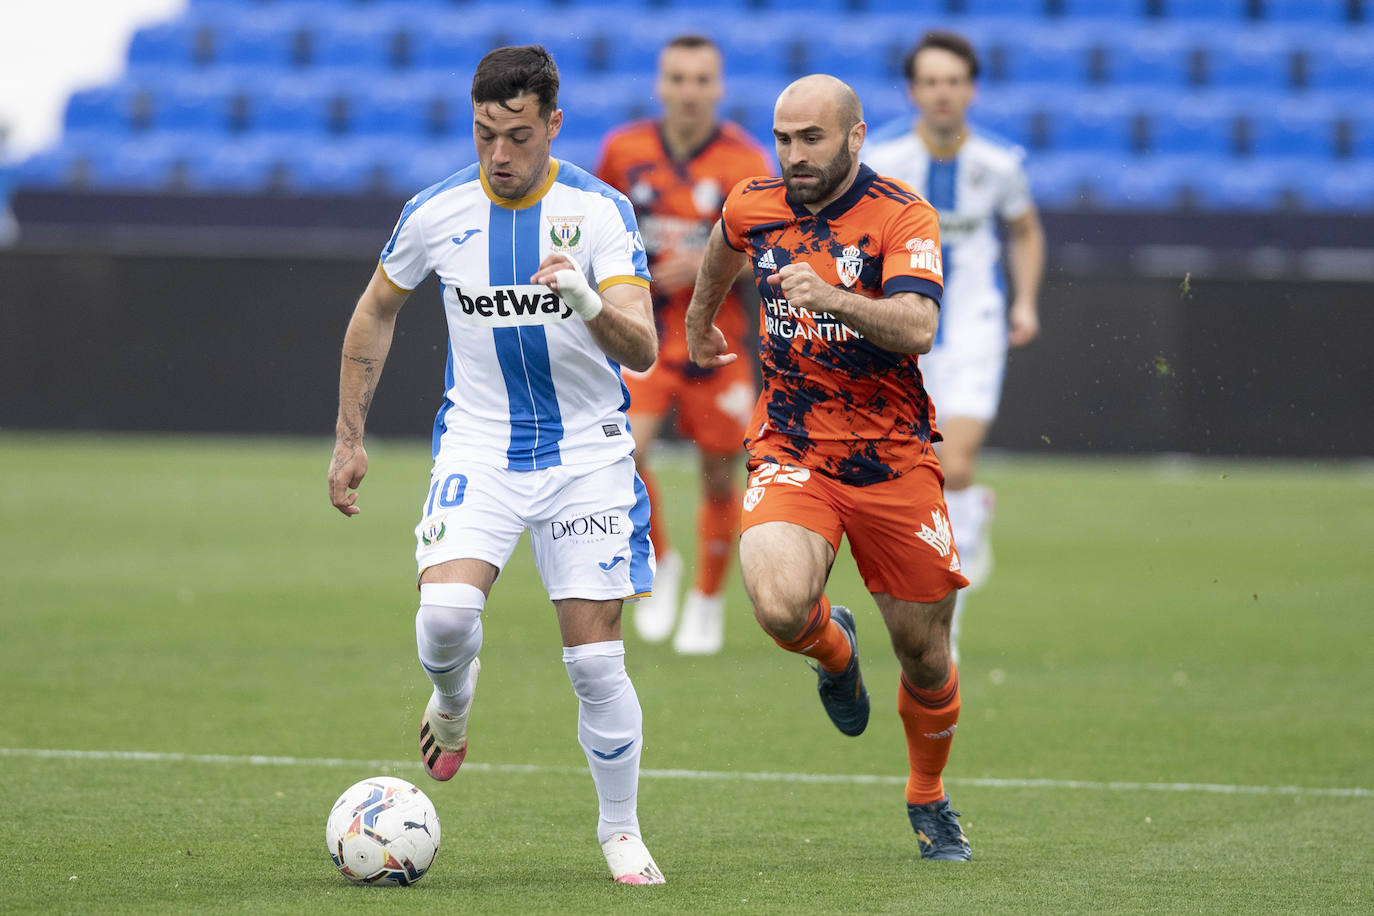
[(449, 634)]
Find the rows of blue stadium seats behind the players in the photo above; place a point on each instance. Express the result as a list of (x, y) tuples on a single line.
[(1228, 105)]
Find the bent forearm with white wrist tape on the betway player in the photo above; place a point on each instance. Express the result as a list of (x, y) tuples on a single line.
[(620, 318)]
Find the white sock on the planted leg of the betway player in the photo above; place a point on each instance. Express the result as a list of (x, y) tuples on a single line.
[(611, 731)]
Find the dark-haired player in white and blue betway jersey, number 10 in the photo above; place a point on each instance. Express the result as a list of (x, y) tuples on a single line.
[(546, 292)]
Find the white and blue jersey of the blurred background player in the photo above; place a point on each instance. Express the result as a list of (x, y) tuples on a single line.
[(983, 186)]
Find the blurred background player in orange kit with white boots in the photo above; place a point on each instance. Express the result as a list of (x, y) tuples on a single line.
[(677, 172)]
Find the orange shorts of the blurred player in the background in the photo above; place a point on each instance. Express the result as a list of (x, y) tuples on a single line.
[(714, 407)]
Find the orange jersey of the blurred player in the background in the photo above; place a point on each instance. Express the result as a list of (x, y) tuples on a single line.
[(678, 203)]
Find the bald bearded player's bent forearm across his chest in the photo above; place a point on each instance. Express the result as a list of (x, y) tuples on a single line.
[(902, 323)]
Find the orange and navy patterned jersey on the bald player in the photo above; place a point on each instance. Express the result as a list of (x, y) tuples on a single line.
[(833, 402)]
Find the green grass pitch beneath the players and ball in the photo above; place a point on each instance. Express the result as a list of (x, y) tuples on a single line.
[(1166, 702)]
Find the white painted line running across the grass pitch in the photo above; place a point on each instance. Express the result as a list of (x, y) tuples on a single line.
[(853, 779)]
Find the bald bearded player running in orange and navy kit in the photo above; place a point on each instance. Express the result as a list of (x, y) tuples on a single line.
[(840, 444)]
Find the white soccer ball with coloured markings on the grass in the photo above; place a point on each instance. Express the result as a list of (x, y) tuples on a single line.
[(383, 832)]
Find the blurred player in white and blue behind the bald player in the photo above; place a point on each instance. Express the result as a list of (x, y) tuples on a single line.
[(980, 189)]
